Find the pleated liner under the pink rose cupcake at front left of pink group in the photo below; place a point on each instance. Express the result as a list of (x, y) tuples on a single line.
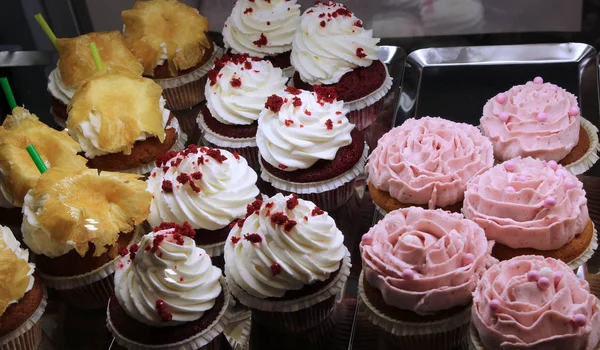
[(401, 328)]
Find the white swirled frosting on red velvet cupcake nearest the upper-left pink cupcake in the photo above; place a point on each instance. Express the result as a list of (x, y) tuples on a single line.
[(298, 128)]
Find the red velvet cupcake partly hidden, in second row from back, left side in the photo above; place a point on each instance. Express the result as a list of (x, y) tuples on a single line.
[(236, 92)]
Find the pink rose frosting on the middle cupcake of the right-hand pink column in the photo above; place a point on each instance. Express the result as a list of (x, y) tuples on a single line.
[(527, 203)]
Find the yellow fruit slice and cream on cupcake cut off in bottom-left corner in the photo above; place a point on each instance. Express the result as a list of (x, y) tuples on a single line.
[(15, 271)]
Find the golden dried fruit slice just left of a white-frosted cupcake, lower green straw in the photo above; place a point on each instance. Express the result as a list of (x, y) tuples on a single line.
[(70, 209)]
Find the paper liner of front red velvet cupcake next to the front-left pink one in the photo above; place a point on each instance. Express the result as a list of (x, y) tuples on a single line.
[(305, 302)]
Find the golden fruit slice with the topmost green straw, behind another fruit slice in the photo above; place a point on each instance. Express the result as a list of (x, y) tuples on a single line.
[(77, 65)]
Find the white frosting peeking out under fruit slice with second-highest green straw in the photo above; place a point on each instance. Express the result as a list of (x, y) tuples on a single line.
[(87, 134)]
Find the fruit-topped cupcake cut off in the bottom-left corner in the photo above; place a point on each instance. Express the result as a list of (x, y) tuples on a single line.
[(22, 296)]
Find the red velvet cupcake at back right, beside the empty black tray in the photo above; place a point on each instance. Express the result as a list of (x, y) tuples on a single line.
[(332, 48)]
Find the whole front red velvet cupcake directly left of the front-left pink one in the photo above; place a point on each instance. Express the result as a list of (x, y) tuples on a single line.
[(286, 262)]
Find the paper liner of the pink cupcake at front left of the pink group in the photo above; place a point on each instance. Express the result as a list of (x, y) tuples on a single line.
[(411, 331)]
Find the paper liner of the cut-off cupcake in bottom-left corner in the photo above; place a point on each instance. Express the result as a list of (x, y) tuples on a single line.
[(29, 335)]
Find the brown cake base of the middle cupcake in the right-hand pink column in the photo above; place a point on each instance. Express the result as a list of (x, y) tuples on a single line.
[(574, 253)]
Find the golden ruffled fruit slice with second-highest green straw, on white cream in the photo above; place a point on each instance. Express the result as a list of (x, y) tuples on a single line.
[(126, 107)]
